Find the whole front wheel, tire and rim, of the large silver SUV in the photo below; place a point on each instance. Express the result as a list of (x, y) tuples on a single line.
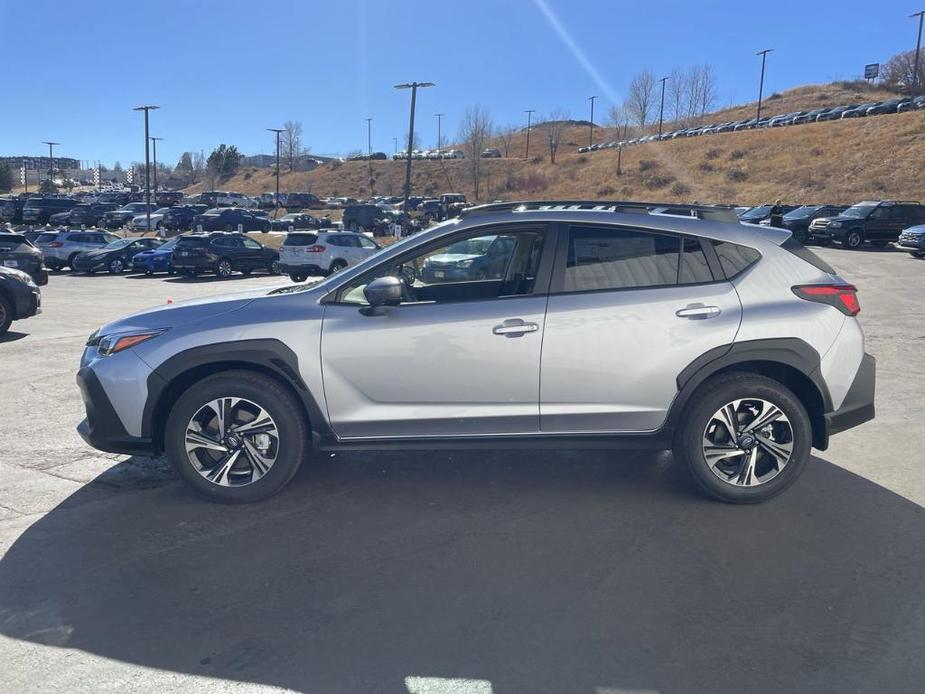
[(236, 437)]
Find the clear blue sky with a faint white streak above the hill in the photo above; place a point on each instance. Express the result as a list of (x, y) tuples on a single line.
[(223, 71)]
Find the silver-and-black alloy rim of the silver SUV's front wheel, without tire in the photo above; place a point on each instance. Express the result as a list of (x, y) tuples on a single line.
[(232, 442)]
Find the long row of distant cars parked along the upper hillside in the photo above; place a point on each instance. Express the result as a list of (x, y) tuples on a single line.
[(817, 115)]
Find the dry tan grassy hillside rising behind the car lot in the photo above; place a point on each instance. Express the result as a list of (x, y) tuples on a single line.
[(839, 162)]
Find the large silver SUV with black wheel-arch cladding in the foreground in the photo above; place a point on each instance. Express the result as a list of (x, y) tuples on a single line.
[(602, 325)]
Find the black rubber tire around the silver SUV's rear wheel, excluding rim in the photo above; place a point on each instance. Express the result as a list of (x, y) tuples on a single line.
[(710, 399)]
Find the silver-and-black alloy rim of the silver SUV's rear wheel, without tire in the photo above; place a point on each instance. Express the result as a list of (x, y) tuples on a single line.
[(748, 442)]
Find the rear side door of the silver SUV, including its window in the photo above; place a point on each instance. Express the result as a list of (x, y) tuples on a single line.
[(628, 310)]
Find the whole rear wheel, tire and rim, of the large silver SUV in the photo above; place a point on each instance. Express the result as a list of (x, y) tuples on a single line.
[(745, 439)]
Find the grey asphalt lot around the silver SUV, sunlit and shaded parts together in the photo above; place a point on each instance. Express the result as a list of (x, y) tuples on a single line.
[(589, 571)]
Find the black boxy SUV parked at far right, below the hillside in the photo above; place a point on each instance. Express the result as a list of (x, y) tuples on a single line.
[(877, 221)]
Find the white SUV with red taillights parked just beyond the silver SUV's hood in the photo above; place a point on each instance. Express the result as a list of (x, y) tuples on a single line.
[(323, 252)]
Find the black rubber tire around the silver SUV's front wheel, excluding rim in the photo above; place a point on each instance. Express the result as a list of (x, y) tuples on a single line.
[(275, 400)]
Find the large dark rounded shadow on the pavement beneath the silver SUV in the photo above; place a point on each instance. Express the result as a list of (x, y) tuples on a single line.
[(583, 571)]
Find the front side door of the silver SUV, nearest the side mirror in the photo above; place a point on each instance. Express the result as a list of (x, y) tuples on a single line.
[(456, 358)]
